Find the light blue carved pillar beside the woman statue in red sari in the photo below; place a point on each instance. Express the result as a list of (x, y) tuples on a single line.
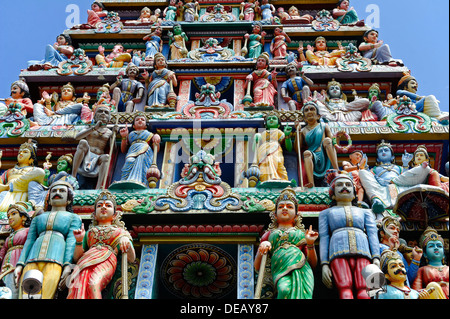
[(147, 267)]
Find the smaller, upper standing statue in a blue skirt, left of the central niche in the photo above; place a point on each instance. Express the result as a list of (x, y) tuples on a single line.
[(160, 83)]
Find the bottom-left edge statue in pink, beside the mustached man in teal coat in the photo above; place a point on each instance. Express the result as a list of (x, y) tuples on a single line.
[(19, 220)]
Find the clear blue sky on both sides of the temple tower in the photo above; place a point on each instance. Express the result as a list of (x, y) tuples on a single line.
[(417, 32)]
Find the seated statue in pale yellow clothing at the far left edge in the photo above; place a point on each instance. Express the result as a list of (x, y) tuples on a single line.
[(14, 181)]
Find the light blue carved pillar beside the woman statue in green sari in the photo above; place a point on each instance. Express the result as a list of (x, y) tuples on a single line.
[(246, 282)]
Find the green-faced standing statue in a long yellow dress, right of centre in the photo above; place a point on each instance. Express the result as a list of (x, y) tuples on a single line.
[(269, 153)]
